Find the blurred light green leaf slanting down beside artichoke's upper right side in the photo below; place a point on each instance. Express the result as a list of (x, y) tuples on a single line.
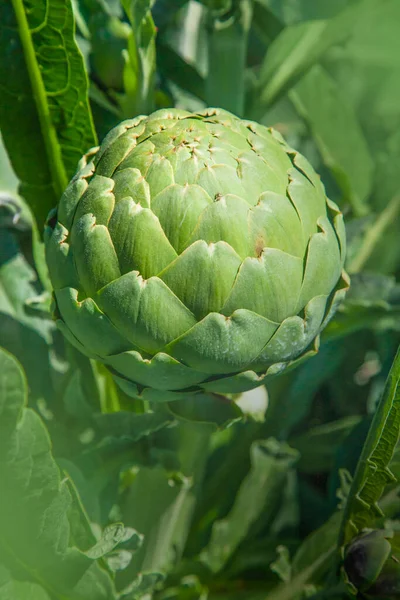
[(343, 147)]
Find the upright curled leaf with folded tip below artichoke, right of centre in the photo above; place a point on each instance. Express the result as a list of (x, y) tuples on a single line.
[(259, 496)]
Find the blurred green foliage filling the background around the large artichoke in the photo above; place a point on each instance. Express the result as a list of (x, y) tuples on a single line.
[(226, 511)]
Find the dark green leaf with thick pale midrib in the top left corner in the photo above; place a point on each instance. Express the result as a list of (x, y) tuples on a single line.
[(44, 94)]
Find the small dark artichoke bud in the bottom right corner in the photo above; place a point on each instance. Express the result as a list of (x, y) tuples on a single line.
[(372, 564)]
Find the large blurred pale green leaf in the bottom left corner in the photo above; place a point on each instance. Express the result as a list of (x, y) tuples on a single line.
[(35, 503)]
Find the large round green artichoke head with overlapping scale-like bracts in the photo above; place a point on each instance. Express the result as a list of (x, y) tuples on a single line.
[(195, 252)]
